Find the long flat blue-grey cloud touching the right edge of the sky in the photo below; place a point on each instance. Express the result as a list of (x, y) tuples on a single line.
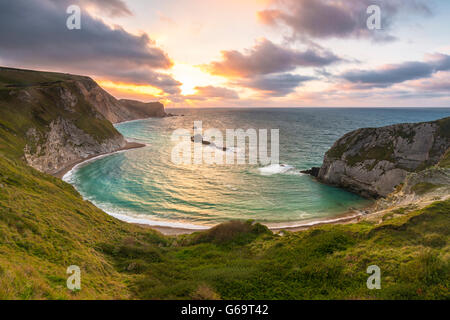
[(391, 74)]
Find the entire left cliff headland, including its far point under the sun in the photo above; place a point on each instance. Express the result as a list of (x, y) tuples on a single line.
[(53, 120)]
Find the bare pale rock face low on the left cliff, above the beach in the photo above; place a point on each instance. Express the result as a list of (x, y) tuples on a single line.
[(64, 145)]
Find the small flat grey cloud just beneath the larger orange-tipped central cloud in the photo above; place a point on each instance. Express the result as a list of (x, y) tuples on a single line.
[(275, 85)]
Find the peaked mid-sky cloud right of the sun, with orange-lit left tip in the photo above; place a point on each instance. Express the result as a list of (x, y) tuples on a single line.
[(266, 58)]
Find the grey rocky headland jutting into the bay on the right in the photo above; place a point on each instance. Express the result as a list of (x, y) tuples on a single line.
[(374, 161)]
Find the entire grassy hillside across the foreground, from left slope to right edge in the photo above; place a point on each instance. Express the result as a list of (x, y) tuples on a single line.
[(45, 226)]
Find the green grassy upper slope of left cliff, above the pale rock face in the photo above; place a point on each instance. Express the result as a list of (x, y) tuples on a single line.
[(28, 99)]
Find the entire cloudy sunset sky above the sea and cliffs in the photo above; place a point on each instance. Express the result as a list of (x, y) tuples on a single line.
[(241, 53)]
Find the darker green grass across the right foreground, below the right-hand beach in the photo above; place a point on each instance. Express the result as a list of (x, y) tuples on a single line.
[(327, 262)]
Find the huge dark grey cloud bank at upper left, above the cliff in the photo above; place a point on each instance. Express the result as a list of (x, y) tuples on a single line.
[(37, 37)]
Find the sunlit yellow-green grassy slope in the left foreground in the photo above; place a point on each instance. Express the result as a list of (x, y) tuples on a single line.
[(45, 226)]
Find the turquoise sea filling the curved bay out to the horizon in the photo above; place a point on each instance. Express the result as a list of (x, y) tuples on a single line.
[(144, 185)]
